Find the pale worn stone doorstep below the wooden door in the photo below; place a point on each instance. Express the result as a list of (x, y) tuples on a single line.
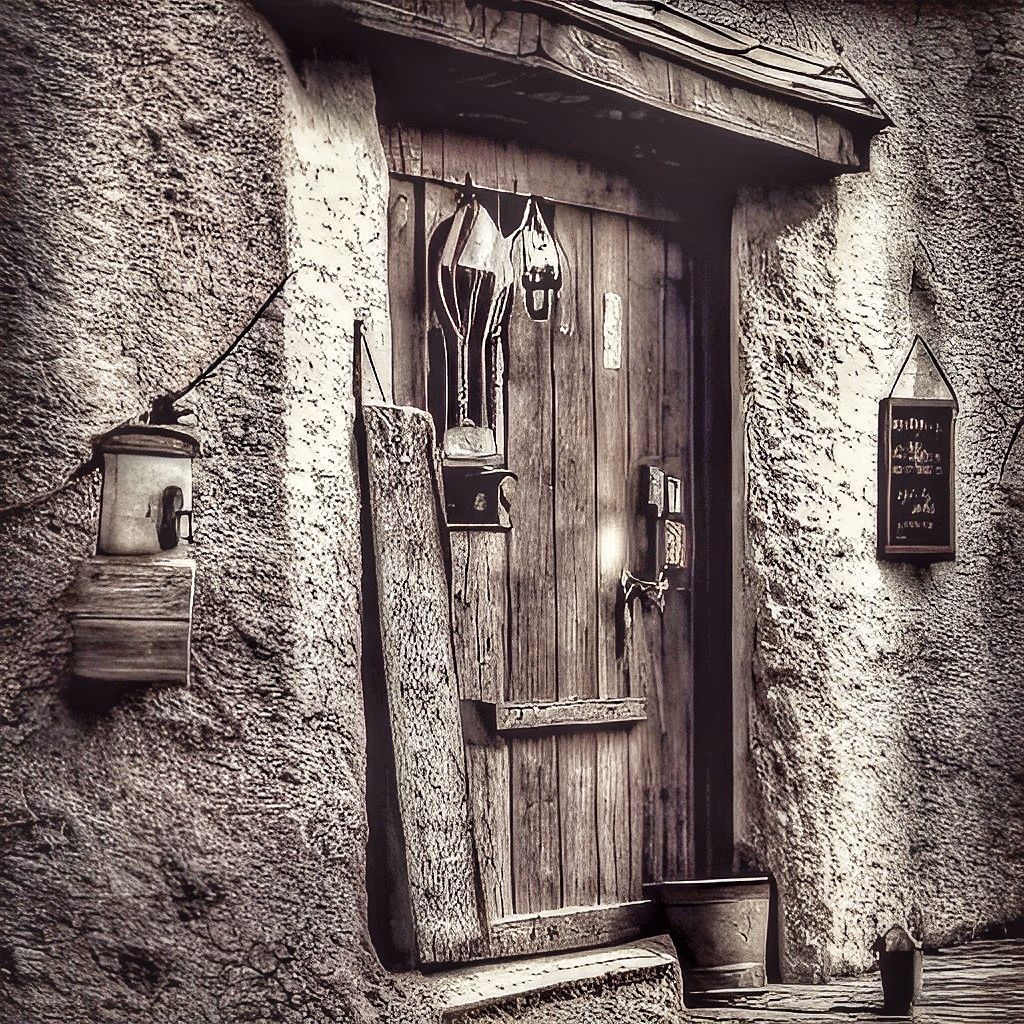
[(637, 982)]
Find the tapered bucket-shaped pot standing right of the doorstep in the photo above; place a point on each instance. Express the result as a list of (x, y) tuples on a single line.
[(720, 928)]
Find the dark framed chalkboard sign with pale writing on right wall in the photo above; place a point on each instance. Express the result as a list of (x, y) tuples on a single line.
[(917, 496)]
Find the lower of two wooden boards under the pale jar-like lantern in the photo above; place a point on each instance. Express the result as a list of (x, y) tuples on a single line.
[(132, 651)]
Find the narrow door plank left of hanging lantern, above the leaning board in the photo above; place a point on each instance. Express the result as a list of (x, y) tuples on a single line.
[(405, 289)]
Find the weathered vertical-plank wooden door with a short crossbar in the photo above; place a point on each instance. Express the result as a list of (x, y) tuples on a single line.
[(578, 746)]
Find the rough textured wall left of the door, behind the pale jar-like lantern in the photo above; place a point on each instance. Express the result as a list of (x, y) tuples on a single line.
[(186, 856)]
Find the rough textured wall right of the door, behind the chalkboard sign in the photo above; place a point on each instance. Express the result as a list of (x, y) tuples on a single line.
[(881, 772)]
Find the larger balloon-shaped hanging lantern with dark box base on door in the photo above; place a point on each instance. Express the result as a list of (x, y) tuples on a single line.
[(474, 281)]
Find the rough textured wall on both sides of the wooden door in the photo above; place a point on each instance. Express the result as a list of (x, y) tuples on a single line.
[(198, 856)]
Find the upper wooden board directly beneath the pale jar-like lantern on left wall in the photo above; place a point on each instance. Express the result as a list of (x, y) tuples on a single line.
[(134, 588)]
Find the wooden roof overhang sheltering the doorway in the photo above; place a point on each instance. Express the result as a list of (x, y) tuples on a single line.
[(635, 83)]
